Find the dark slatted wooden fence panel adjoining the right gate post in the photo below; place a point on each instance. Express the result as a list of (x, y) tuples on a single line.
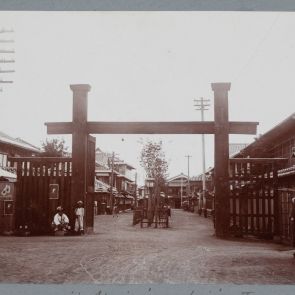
[(254, 200)]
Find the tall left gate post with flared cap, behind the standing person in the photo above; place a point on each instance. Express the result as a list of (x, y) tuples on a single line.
[(79, 145)]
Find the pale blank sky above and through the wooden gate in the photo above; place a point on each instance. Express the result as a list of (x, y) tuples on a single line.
[(148, 66)]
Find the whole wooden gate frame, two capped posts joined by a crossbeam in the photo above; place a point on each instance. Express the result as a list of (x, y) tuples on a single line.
[(80, 129)]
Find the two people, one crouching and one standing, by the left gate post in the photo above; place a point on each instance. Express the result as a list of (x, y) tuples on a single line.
[(61, 221)]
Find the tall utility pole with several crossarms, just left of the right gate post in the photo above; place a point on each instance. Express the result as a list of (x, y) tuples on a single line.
[(202, 105)]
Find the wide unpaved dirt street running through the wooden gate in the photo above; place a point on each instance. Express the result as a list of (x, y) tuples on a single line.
[(121, 253)]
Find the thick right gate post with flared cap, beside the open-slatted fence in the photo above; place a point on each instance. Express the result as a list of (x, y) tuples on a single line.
[(221, 170)]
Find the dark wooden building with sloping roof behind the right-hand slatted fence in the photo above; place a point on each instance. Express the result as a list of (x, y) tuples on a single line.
[(279, 142)]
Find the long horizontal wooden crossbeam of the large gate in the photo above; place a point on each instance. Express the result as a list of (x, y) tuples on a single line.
[(151, 127)]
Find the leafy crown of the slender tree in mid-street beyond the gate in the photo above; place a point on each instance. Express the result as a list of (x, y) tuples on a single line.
[(152, 159)]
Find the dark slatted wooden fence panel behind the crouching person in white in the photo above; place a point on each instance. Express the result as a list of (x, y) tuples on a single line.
[(42, 185)]
